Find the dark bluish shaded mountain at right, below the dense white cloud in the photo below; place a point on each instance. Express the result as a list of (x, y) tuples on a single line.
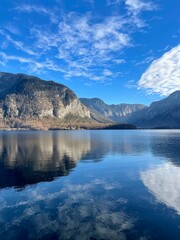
[(160, 114)]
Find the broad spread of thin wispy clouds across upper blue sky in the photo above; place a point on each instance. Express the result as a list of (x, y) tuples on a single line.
[(85, 46)]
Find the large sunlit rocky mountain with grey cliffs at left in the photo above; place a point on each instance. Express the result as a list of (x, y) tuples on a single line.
[(27, 97)]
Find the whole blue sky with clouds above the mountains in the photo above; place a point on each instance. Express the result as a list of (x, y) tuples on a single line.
[(122, 51)]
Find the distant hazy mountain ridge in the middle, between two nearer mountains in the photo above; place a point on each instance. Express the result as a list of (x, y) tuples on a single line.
[(117, 113)]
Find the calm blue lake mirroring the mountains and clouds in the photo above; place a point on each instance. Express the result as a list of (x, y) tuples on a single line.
[(90, 185)]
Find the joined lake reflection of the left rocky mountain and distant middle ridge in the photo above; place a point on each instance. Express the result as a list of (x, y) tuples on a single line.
[(31, 157)]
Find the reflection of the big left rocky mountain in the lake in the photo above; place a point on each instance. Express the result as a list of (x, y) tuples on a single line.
[(33, 157)]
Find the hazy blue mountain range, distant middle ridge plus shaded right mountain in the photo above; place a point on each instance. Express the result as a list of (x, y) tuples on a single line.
[(160, 114)]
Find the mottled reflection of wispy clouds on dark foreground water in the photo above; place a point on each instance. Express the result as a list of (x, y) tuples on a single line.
[(72, 211)]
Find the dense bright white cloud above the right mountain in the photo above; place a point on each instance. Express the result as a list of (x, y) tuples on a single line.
[(163, 75)]
